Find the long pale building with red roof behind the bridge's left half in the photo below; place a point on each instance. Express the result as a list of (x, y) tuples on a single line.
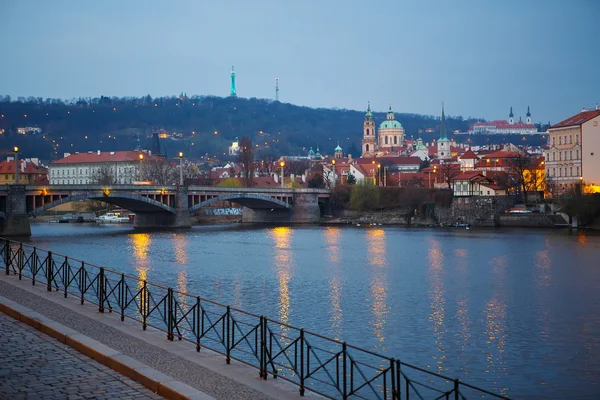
[(122, 167)]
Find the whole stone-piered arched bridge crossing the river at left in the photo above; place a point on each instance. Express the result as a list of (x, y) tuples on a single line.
[(160, 207)]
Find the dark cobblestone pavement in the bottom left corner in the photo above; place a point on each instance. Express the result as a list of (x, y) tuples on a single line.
[(36, 366)]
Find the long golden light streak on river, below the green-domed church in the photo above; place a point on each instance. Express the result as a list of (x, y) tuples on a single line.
[(376, 249)]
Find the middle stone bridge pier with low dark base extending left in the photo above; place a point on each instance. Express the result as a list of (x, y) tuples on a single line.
[(160, 220)]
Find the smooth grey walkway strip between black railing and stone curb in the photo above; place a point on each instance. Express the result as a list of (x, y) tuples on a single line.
[(204, 371)]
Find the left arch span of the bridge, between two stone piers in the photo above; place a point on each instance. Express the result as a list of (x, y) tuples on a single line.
[(129, 201)]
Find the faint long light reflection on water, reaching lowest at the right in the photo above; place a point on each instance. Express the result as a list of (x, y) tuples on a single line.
[(495, 327)]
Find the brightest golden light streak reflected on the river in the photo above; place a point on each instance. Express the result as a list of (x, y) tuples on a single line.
[(282, 237)]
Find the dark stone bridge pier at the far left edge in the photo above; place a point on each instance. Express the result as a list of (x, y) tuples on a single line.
[(16, 222)]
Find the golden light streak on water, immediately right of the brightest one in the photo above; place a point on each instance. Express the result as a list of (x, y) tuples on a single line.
[(332, 238)]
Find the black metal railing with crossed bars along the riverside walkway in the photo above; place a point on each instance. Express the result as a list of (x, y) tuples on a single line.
[(329, 367)]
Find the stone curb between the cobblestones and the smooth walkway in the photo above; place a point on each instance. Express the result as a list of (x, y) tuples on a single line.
[(154, 380)]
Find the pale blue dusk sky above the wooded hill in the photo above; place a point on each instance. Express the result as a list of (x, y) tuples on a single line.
[(478, 57)]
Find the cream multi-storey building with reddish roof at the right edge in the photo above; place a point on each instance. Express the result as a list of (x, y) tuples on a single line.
[(573, 154)]
